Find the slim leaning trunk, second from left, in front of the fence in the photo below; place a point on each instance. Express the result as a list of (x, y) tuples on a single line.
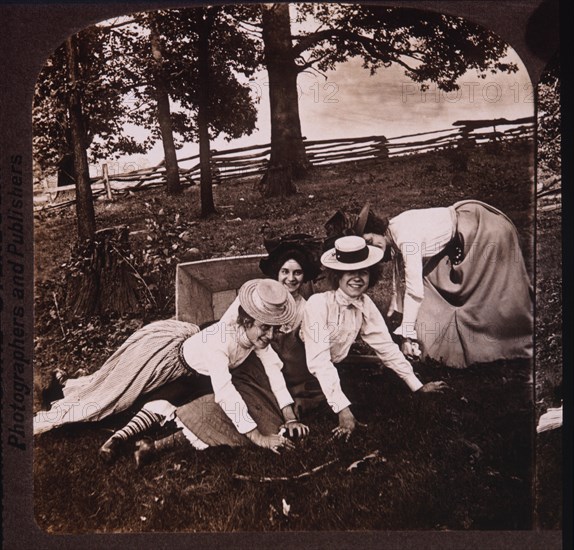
[(164, 115)]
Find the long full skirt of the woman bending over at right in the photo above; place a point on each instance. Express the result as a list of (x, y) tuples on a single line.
[(479, 310)]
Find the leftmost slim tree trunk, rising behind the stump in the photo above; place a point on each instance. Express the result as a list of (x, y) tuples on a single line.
[(84, 200)]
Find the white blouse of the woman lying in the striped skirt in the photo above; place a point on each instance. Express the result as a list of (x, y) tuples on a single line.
[(224, 346)]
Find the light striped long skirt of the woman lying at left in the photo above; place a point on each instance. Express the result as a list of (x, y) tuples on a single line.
[(147, 360)]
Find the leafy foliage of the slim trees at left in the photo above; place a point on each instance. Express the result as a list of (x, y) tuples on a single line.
[(118, 84)]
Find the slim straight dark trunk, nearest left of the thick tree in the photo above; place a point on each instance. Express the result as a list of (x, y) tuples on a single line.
[(203, 117)]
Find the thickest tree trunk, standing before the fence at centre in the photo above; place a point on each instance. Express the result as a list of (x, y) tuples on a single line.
[(288, 160)]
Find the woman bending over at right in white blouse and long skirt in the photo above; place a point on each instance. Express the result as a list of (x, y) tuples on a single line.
[(468, 297)]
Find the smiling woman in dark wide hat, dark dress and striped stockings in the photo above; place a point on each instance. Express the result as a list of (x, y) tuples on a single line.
[(292, 261)]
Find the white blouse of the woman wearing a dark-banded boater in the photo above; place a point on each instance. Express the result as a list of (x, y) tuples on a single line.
[(331, 323)]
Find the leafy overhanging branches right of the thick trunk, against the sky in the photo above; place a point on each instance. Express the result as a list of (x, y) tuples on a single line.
[(431, 47)]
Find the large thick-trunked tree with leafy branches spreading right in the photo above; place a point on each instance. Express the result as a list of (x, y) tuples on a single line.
[(430, 46)]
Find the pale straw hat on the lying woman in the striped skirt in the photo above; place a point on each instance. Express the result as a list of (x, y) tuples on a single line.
[(268, 302)]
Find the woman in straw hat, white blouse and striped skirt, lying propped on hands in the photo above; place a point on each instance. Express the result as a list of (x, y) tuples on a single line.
[(167, 350)]
